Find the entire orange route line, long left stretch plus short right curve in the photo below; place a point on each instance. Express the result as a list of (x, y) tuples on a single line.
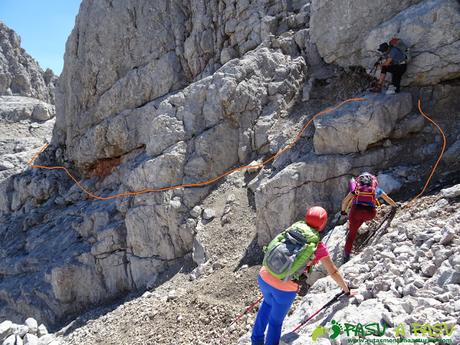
[(255, 166)]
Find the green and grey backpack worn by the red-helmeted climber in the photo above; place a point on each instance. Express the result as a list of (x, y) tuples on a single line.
[(287, 255)]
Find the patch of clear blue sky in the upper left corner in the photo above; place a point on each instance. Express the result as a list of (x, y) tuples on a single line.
[(43, 26)]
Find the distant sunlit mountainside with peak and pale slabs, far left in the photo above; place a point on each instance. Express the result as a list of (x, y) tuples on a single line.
[(26, 104)]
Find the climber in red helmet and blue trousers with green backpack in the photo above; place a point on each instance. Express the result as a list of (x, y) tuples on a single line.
[(288, 256)]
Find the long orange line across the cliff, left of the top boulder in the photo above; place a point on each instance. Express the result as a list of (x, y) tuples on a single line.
[(189, 185)]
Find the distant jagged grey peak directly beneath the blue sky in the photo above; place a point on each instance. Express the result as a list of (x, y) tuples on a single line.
[(20, 74)]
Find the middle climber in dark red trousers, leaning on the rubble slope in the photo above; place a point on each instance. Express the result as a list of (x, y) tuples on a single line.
[(361, 200)]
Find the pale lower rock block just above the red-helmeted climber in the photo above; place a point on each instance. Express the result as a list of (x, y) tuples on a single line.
[(318, 180)]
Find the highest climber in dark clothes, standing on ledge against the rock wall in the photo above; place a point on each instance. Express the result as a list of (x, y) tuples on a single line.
[(395, 58)]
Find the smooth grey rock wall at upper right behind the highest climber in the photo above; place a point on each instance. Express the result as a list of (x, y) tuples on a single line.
[(352, 33)]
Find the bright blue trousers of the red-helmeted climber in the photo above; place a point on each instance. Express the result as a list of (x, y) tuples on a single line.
[(272, 312)]
